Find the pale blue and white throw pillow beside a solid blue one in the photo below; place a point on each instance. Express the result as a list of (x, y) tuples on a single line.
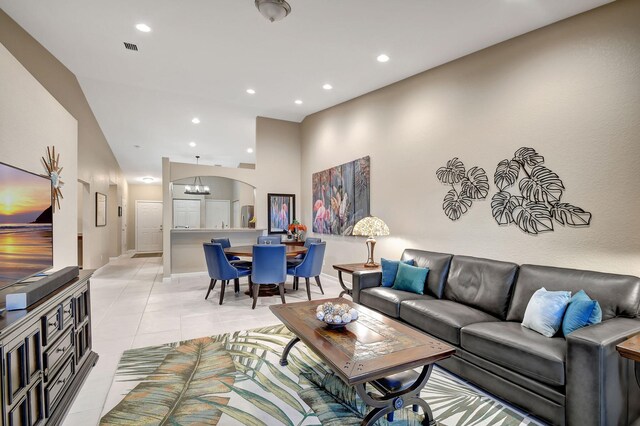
[(545, 311)]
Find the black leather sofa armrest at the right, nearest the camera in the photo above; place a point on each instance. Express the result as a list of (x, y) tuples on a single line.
[(597, 376)]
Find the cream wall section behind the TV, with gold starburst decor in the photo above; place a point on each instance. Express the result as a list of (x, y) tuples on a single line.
[(30, 120)]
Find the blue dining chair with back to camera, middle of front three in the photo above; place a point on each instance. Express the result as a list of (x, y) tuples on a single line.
[(269, 267)]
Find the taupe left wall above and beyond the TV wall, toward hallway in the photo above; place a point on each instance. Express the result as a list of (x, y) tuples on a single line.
[(96, 164)]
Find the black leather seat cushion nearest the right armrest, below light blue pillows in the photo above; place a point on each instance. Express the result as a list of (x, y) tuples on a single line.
[(517, 348)]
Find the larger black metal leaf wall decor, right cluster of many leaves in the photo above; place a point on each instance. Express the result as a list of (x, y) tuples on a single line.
[(539, 204)]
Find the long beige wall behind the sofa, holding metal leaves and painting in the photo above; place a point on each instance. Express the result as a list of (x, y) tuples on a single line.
[(570, 90)]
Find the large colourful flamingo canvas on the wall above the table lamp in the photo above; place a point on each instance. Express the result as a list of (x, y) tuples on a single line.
[(341, 197)]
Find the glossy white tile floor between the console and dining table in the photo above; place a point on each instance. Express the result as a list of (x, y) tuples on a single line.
[(132, 306)]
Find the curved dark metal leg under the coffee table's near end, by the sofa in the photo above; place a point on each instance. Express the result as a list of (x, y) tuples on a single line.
[(392, 401)]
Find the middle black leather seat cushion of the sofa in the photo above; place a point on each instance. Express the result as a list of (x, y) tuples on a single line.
[(441, 318)]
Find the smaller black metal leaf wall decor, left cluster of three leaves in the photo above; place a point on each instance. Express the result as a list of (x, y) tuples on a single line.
[(465, 187)]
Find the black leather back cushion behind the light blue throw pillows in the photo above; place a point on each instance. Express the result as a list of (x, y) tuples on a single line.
[(618, 295)]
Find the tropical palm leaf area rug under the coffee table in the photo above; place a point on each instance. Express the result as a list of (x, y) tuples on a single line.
[(236, 379)]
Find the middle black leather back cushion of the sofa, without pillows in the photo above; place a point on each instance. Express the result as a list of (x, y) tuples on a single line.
[(484, 284)]
